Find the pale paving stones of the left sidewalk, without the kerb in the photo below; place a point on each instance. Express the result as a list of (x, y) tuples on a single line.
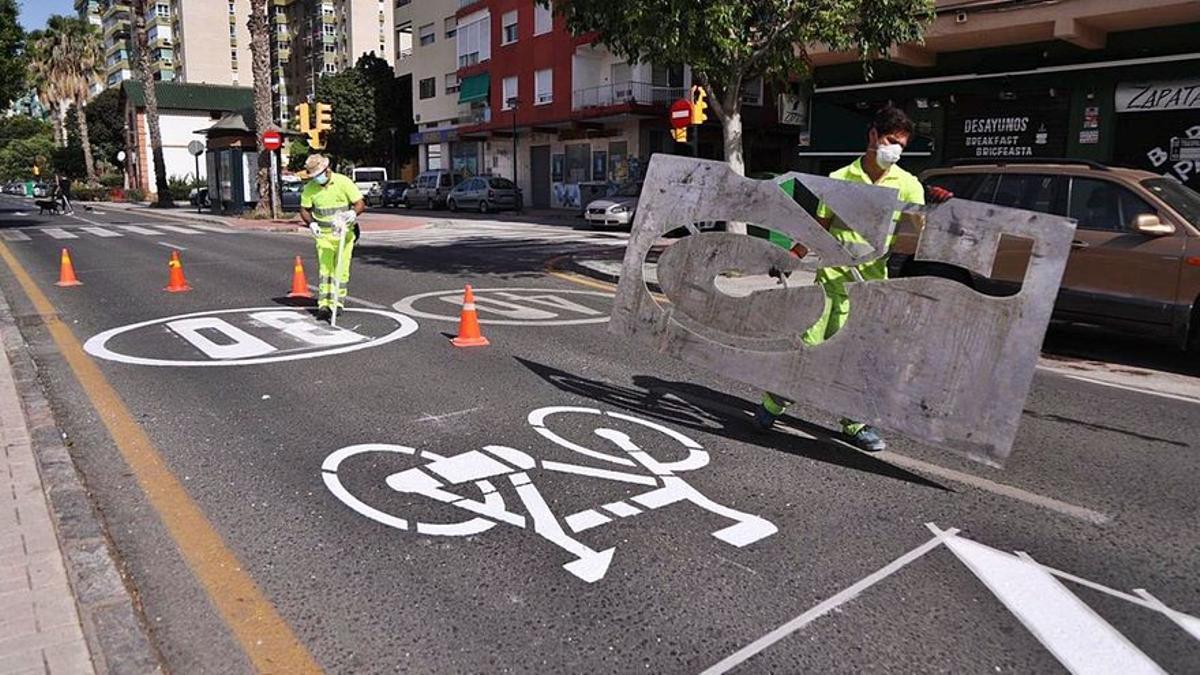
[(40, 629)]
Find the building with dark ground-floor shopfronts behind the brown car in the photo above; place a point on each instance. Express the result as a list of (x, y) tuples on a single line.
[(1007, 81)]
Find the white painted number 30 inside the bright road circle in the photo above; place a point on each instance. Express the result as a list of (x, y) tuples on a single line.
[(220, 341)]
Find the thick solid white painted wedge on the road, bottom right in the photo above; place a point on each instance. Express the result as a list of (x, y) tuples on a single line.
[(1064, 624)]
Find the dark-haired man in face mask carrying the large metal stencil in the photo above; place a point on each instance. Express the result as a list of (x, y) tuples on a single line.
[(886, 140)]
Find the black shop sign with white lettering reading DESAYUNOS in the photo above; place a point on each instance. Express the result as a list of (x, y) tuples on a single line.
[(999, 130)]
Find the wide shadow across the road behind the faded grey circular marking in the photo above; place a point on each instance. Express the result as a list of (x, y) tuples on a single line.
[(514, 259)]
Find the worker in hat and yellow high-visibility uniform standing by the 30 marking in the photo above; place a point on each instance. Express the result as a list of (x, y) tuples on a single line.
[(329, 206)]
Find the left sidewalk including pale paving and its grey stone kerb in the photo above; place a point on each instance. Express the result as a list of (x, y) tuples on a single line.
[(64, 605)]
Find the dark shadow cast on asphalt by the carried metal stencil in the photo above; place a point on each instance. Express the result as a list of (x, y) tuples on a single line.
[(699, 408)]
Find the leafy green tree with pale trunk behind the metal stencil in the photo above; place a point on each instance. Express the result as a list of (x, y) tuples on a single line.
[(733, 43)]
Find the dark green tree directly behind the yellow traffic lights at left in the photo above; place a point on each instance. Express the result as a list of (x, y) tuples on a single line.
[(353, 103)]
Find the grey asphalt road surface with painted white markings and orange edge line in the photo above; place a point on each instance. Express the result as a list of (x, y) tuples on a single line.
[(375, 500)]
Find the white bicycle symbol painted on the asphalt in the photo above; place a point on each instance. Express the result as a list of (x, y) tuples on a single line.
[(441, 479)]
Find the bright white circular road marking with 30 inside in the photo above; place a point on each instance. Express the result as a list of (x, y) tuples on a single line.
[(98, 345)]
